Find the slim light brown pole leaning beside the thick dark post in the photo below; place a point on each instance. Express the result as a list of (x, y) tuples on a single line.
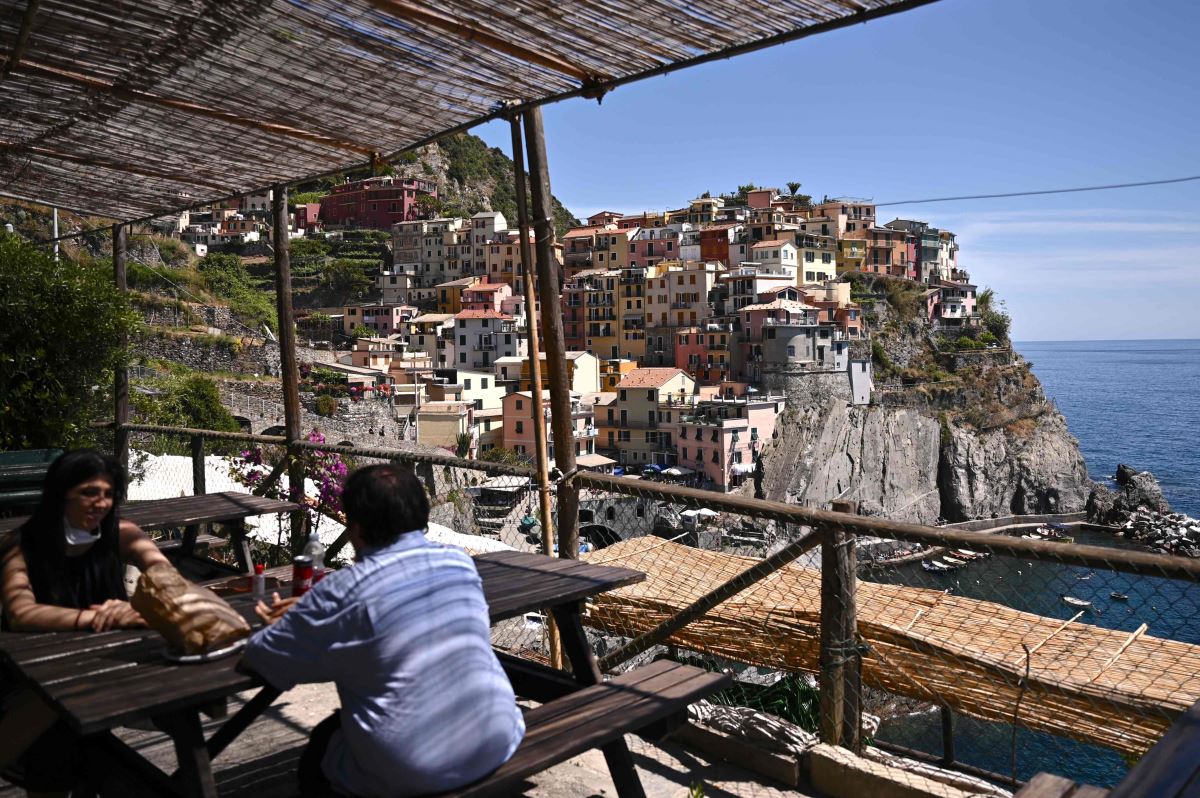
[(539, 411)]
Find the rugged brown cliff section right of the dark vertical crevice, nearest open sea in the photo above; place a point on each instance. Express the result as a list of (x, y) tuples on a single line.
[(1013, 471)]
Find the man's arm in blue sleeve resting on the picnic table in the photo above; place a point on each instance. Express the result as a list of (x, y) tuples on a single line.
[(313, 641)]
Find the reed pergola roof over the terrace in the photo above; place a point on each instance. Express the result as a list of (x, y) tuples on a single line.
[(137, 110)]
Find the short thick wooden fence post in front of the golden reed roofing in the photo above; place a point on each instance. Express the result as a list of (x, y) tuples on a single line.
[(841, 682)]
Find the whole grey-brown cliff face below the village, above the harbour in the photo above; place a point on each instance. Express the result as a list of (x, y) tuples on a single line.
[(913, 464)]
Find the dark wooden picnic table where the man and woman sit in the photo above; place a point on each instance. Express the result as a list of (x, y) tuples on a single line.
[(99, 682)]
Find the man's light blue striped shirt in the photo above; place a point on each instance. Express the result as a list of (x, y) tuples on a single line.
[(405, 635)]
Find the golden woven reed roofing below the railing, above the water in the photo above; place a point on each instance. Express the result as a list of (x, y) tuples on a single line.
[(1085, 682)]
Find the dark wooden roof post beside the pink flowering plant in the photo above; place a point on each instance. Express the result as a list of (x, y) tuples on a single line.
[(289, 367)]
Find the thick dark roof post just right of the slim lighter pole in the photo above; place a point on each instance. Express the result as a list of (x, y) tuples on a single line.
[(550, 290)]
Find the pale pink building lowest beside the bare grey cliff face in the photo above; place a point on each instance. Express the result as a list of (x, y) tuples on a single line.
[(723, 439)]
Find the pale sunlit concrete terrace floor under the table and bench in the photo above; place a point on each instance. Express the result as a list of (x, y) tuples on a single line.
[(261, 764)]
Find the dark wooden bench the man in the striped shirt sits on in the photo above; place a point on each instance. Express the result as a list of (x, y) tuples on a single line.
[(596, 717)]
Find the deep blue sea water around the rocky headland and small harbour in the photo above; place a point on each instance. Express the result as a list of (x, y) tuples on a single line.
[(1132, 403)]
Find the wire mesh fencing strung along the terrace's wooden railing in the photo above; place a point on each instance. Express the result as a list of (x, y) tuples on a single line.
[(1061, 649)]
